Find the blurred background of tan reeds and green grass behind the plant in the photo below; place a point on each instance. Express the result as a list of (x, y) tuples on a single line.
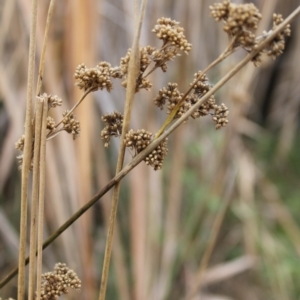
[(221, 220)]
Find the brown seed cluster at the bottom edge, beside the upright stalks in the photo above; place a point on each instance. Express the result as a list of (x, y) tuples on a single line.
[(58, 282)]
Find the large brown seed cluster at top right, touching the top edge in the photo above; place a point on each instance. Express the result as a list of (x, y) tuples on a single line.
[(240, 21)]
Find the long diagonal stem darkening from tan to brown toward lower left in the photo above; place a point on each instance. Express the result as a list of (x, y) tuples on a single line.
[(139, 157)]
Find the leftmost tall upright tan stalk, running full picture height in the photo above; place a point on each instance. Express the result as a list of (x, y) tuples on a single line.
[(27, 153)]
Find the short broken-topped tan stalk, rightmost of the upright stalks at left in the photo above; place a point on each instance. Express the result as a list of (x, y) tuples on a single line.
[(41, 200)]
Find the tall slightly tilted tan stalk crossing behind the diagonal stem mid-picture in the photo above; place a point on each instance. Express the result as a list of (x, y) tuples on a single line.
[(133, 70)]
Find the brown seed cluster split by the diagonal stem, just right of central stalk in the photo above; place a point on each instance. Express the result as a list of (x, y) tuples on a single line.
[(139, 140)]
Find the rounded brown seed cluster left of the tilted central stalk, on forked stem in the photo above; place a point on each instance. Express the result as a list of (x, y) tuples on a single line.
[(95, 78)]
